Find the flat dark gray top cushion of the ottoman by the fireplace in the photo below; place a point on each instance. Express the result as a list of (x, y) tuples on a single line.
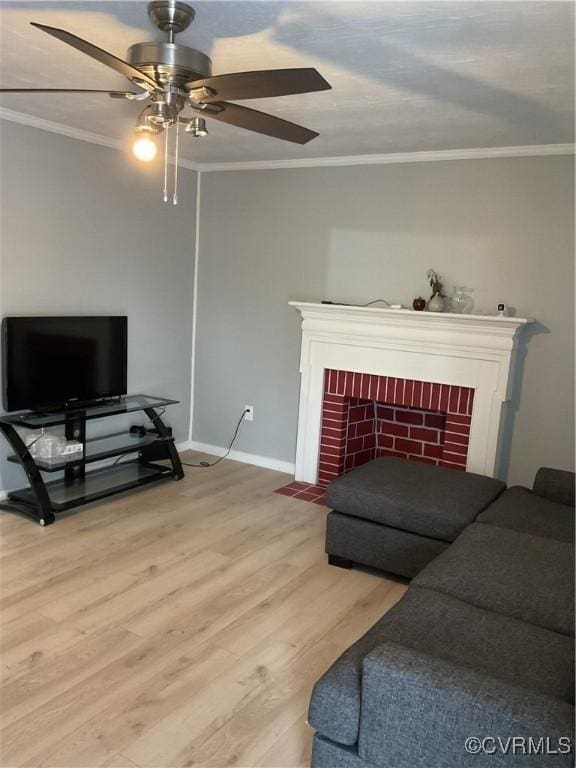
[(420, 498)]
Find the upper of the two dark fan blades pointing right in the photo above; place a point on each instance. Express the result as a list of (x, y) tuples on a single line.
[(261, 84)]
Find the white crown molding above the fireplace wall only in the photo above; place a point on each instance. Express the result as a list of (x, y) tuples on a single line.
[(480, 153)]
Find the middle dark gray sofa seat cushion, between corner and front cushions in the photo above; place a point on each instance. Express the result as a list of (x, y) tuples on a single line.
[(516, 574)]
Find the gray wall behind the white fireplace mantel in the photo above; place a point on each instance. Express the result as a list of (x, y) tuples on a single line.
[(503, 227)]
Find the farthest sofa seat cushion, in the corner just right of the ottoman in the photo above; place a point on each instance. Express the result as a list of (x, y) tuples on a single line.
[(521, 510)]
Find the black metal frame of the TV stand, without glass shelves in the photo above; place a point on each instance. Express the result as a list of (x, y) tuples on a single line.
[(42, 509)]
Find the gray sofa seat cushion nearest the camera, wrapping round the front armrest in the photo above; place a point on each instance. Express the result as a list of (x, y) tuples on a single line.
[(442, 626)]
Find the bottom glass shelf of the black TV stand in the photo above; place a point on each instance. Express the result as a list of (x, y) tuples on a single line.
[(96, 485)]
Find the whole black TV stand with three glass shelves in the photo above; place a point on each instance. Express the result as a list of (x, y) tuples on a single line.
[(43, 500)]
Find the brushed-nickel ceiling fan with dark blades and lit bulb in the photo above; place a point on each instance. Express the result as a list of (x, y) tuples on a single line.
[(171, 77)]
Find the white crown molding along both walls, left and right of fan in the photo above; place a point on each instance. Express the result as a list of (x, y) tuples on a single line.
[(480, 153)]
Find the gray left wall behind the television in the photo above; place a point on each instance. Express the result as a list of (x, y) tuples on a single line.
[(84, 230)]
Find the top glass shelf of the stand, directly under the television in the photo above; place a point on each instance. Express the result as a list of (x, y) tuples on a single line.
[(128, 404)]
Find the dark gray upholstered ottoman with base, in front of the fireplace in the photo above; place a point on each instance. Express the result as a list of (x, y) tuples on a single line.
[(398, 515)]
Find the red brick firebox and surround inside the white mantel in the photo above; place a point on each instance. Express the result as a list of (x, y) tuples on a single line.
[(365, 416)]
